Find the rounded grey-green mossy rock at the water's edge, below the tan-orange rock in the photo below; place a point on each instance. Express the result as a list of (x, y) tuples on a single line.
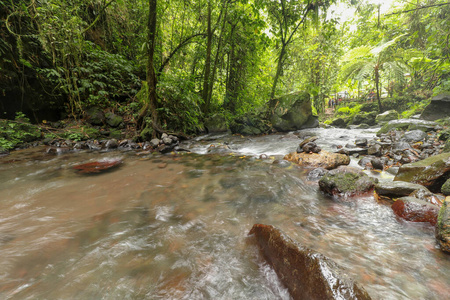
[(346, 181)]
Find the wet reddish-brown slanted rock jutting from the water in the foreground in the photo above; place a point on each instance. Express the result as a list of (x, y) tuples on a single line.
[(307, 274)]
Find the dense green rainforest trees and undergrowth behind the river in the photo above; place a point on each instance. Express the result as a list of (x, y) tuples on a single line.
[(169, 65)]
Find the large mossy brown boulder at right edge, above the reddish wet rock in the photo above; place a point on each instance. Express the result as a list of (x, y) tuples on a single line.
[(431, 172)]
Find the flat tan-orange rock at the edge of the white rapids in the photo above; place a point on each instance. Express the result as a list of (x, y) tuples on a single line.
[(323, 159)]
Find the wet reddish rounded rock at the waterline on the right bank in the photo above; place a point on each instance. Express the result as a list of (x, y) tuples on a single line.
[(415, 210)]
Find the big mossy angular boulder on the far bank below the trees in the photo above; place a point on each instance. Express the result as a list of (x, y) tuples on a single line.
[(293, 112)]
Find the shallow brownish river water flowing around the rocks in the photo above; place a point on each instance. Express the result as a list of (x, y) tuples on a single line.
[(175, 226)]
